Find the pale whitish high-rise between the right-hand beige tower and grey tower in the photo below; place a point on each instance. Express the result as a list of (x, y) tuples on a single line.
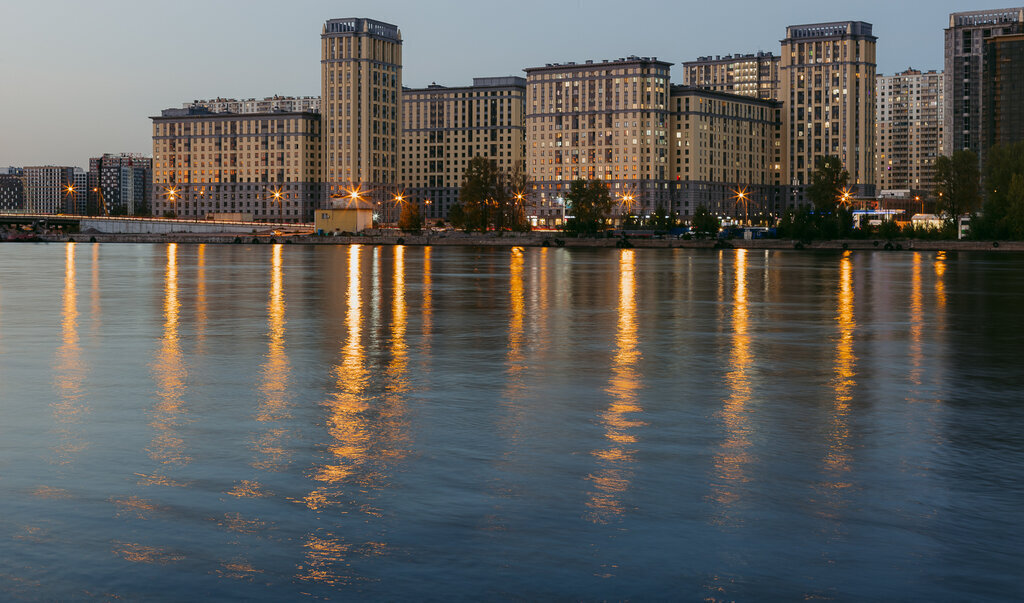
[(910, 109)]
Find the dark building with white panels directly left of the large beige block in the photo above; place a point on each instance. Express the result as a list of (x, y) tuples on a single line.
[(125, 183)]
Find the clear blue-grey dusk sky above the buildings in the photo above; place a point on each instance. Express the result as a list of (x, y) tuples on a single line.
[(80, 79)]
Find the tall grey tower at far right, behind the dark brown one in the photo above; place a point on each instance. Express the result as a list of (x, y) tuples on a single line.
[(965, 48)]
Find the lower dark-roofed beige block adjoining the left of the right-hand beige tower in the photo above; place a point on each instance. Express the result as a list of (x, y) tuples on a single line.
[(727, 154)]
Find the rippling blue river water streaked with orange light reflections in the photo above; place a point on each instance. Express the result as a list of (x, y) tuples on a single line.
[(268, 422)]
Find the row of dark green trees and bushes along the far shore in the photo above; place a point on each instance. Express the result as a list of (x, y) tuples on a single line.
[(492, 198)]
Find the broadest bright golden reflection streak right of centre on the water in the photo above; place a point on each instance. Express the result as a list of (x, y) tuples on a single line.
[(620, 421)]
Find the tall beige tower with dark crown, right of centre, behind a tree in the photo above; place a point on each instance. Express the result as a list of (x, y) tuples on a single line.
[(828, 75)]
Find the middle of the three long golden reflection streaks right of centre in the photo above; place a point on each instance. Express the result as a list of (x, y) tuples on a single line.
[(733, 459)]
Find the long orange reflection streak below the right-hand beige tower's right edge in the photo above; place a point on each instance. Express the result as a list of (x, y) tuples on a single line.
[(839, 458)]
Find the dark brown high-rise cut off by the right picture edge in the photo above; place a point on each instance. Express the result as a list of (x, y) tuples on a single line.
[(1004, 95)]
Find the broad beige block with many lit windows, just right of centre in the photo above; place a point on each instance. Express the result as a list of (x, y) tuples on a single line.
[(607, 121)]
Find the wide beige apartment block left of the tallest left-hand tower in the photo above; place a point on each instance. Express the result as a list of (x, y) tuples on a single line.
[(266, 165)]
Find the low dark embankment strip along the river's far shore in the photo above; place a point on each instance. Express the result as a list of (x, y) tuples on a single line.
[(542, 240)]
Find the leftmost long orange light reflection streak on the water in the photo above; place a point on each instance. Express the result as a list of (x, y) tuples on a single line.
[(70, 371)]
